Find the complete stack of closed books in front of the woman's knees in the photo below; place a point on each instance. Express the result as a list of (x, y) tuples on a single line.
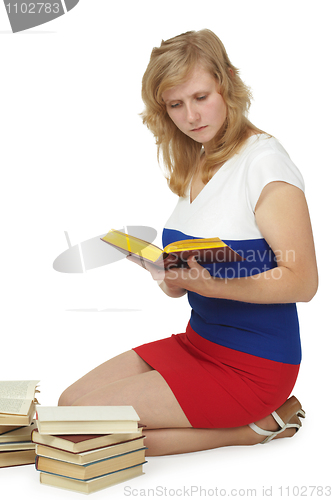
[(87, 448)]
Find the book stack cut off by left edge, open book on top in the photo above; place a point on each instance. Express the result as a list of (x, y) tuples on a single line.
[(17, 409)]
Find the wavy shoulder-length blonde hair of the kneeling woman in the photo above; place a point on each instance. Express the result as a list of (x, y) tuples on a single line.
[(171, 64)]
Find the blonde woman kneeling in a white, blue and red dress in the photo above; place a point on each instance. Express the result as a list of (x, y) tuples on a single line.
[(226, 381)]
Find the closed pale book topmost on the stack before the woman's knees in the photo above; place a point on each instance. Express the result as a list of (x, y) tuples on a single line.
[(87, 419)]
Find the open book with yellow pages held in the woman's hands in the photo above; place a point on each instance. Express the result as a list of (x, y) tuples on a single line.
[(206, 251)]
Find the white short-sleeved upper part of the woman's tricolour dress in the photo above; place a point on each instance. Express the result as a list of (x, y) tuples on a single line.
[(225, 206)]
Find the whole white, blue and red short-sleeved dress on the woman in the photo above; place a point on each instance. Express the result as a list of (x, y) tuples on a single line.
[(237, 361)]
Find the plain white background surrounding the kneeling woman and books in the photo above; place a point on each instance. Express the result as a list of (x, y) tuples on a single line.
[(75, 157)]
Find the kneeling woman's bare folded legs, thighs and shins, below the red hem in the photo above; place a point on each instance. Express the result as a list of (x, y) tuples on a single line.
[(128, 380)]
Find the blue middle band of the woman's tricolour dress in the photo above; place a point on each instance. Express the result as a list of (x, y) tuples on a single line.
[(269, 331)]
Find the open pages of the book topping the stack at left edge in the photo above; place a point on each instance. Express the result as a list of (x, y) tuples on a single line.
[(16, 396)]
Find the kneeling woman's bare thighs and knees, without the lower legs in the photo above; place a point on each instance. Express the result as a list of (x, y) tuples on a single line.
[(128, 380)]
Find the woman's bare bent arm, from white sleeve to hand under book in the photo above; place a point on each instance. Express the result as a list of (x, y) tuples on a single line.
[(283, 219)]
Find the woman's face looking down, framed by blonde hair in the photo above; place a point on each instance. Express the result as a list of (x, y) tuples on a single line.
[(196, 107)]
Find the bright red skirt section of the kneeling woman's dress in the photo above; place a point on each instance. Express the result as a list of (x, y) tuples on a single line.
[(218, 387)]
